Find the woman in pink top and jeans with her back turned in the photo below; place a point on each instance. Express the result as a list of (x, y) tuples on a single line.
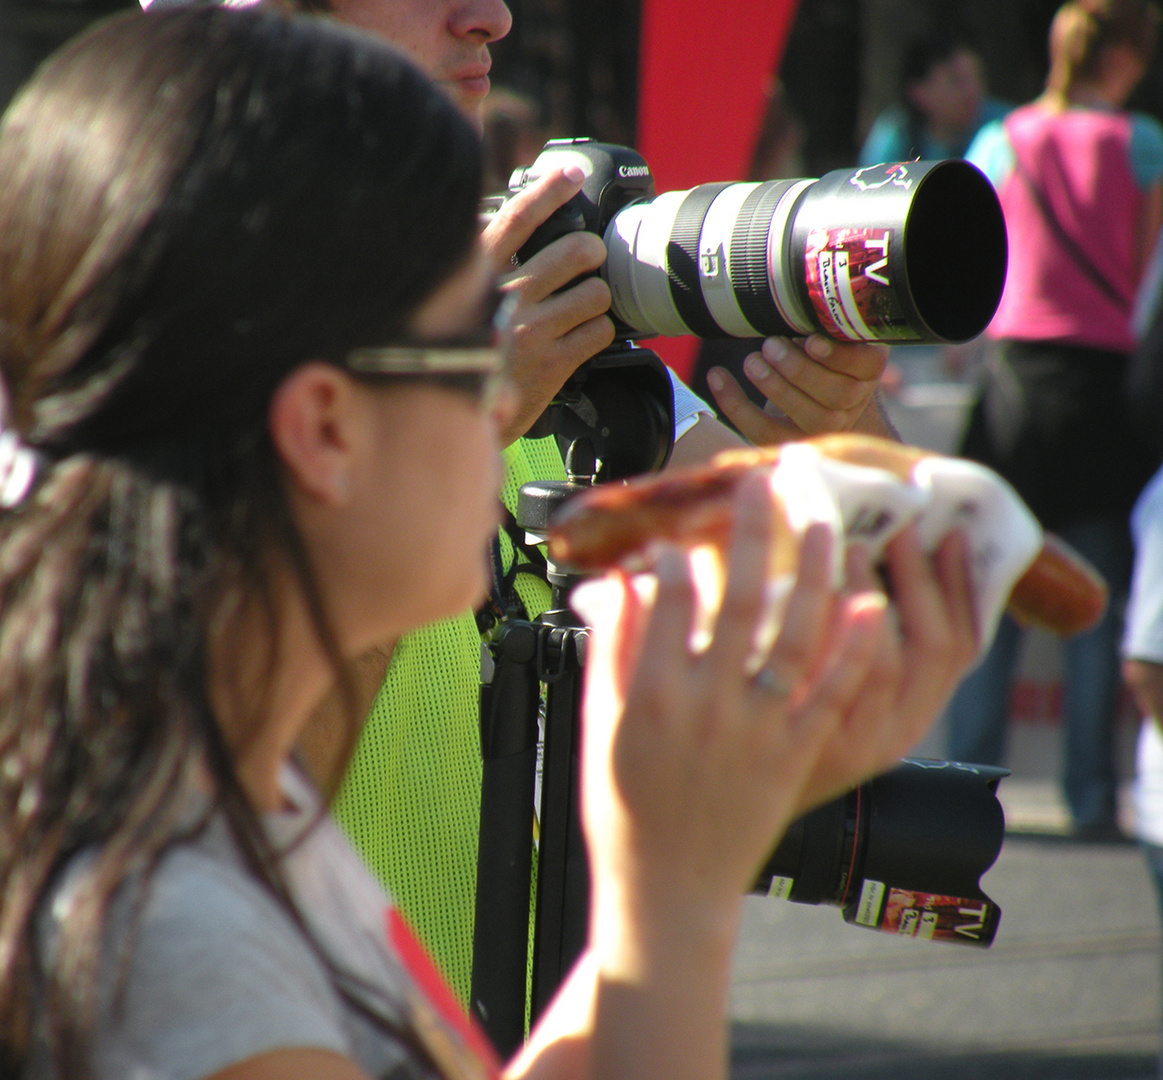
[(1081, 183)]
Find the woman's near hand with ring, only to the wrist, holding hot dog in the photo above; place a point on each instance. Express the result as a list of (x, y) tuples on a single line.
[(693, 768)]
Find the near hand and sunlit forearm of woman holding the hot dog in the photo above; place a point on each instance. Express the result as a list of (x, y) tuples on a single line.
[(691, 769)]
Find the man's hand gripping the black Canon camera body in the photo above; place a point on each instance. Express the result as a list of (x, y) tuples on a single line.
[(558, 328)]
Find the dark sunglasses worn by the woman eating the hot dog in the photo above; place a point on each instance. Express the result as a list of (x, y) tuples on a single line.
[(476, 363)]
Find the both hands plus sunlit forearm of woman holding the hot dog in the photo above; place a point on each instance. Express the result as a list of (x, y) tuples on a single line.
[(694, 768)]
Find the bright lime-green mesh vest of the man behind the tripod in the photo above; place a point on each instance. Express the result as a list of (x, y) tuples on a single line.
[(411, 800)]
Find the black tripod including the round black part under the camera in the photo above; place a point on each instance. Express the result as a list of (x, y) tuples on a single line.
[(619, 407)]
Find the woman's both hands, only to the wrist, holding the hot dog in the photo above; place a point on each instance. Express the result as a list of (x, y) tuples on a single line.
[(694, 768)]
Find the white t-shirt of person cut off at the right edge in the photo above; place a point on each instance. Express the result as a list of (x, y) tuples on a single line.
[(1144, 641)]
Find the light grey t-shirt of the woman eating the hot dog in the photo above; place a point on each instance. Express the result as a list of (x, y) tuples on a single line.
[(220, 972)]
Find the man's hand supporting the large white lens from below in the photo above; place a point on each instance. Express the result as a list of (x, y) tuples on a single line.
[(814, 385)]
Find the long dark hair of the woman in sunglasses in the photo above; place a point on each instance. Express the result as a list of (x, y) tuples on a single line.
[(194, 202)]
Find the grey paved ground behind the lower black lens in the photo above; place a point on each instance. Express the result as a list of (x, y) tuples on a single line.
[(1069, 991)]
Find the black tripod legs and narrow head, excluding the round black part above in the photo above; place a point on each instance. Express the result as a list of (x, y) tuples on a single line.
[(525, 656)]
